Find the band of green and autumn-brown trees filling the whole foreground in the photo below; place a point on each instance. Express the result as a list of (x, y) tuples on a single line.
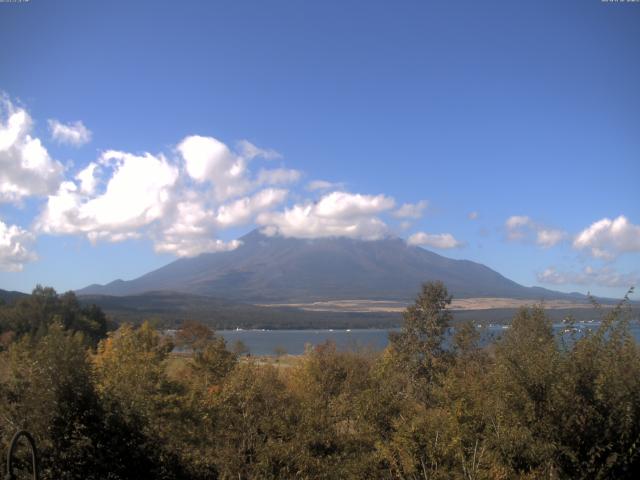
[(108, 401)]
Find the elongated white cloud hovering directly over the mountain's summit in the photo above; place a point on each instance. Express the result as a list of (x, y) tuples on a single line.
[(338, 214)]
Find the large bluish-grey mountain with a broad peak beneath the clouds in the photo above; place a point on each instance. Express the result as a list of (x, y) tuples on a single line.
[(275, 269)]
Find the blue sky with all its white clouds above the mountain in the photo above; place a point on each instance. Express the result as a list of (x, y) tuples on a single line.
[(517, 124)]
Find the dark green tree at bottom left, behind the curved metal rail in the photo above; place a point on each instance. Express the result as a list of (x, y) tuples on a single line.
[(46, 387)]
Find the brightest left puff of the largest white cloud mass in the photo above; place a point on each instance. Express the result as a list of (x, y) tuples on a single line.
[(137, 194)]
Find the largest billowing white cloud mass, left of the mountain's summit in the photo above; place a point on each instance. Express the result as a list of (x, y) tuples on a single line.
[(182, 207)]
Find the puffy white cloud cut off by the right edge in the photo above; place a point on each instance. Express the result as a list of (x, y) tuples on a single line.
[(608, 238)]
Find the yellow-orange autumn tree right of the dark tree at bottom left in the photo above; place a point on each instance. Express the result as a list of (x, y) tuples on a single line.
[(138, 396)]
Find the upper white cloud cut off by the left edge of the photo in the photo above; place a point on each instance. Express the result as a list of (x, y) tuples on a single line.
[(26, 168)]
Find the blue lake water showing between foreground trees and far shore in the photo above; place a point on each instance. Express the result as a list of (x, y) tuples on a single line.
[(265, 342)]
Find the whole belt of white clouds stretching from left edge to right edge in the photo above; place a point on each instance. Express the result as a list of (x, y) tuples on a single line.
[(195, 197)]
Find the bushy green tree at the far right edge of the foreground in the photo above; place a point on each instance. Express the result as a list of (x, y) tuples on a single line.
[(598, 403)]
